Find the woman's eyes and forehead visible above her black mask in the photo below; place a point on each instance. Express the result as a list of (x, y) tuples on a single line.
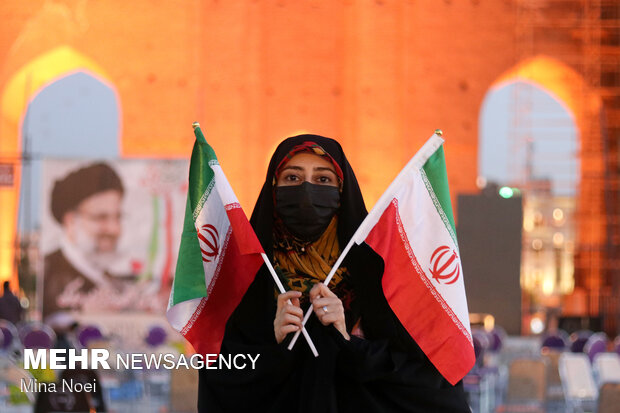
[(307, 167)]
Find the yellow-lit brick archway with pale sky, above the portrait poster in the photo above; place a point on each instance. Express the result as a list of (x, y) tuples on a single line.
[(59, 86)]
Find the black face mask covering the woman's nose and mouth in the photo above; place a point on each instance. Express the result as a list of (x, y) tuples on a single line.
[(307, 209)]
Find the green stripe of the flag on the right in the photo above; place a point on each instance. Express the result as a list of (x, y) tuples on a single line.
[(436, 179)]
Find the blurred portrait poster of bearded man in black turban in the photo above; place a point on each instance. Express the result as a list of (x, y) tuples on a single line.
[(110, 234)]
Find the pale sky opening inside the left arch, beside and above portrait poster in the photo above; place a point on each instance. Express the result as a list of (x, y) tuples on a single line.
[(75, 116)]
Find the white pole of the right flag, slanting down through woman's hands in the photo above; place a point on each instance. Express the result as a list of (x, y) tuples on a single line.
[(373, 216)]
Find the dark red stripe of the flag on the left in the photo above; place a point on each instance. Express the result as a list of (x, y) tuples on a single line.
[(236, 271)]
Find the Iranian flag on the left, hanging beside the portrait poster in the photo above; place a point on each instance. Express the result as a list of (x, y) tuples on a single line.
[(218, 257)]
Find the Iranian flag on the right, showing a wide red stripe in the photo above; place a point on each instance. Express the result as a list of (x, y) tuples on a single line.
[(412, 228)]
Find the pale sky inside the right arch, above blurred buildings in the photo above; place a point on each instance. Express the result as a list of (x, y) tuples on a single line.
[(528, 135)]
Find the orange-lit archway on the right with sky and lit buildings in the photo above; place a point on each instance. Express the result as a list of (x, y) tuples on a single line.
[(550, 147)]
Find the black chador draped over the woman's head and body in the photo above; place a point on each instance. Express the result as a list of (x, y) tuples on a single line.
[(381, 368)]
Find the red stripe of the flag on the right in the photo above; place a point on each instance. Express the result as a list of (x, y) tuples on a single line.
[(419, 307)]
